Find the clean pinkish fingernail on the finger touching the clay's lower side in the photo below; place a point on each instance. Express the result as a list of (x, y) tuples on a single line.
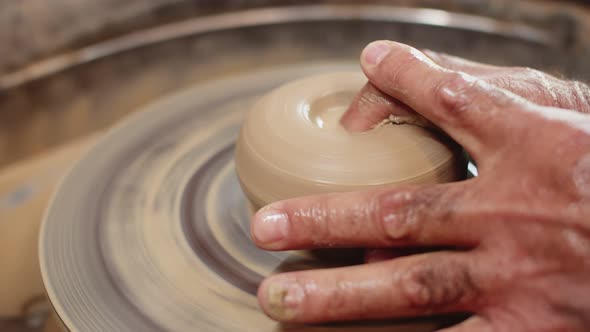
[(270, 226)]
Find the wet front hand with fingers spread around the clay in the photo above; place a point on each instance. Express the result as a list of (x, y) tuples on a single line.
[(523, 225)]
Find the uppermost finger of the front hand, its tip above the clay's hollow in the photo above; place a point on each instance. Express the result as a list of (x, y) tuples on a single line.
[(468, 109)]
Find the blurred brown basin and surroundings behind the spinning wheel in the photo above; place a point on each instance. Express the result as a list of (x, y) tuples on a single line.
[(70, 69)]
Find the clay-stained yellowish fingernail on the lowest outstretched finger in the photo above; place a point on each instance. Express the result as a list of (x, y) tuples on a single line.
[(284, 299)]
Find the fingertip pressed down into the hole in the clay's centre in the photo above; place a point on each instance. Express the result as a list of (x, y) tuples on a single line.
[(369, 107)]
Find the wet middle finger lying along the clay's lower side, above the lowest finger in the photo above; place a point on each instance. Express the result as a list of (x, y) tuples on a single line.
[(409, 216)]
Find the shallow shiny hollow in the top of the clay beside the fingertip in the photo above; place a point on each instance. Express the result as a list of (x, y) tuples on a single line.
[(326, 111)]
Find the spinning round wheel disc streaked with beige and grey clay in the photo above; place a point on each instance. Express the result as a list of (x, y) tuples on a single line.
[(150, 230)]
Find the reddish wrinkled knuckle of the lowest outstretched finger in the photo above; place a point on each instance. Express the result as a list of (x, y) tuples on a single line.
[(437, 285)]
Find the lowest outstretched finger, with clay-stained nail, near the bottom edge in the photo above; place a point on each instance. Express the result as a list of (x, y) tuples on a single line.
[(433, 283)]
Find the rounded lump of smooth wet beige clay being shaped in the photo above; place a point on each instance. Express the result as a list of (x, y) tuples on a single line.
[(292, 144)]
